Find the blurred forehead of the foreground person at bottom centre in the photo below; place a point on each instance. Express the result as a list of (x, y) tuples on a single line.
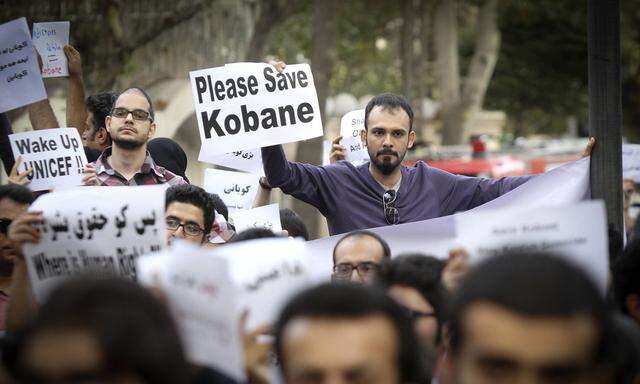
[(360, 340)]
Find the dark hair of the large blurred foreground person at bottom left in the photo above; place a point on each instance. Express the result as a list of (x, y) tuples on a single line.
[(136, 332)]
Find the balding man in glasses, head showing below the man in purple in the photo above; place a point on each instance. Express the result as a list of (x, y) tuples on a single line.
[(357, 257)]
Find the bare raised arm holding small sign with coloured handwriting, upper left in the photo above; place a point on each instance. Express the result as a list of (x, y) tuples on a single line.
[(76, 110)]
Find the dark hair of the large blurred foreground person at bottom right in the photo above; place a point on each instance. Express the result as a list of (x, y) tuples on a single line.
[(533, 285)]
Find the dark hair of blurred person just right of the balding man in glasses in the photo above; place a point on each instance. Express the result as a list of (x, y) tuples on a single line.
[(422, 273)]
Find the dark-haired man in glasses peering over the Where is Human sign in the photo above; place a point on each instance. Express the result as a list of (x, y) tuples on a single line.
[(189, 213)]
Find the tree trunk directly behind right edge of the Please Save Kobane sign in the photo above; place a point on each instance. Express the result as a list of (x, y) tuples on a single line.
[(323, 56)]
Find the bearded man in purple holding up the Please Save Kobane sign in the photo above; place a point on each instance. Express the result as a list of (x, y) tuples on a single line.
[(381, 192)]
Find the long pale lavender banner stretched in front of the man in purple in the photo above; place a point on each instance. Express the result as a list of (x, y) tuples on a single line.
[(565, 185)]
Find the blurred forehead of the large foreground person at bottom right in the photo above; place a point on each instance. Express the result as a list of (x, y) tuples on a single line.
[(491, 329)]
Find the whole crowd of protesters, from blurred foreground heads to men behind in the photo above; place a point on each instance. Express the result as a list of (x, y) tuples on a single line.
[(383, 318)]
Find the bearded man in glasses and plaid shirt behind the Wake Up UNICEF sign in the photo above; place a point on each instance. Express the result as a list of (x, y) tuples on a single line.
[(127, 162)]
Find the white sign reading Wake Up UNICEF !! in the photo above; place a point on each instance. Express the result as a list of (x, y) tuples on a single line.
[(55, 155)]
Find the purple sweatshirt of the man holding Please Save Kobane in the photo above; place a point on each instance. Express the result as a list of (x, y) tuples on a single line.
[(351, 199)]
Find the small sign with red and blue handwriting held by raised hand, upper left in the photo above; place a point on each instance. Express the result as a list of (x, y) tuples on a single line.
[(49, 39)]
